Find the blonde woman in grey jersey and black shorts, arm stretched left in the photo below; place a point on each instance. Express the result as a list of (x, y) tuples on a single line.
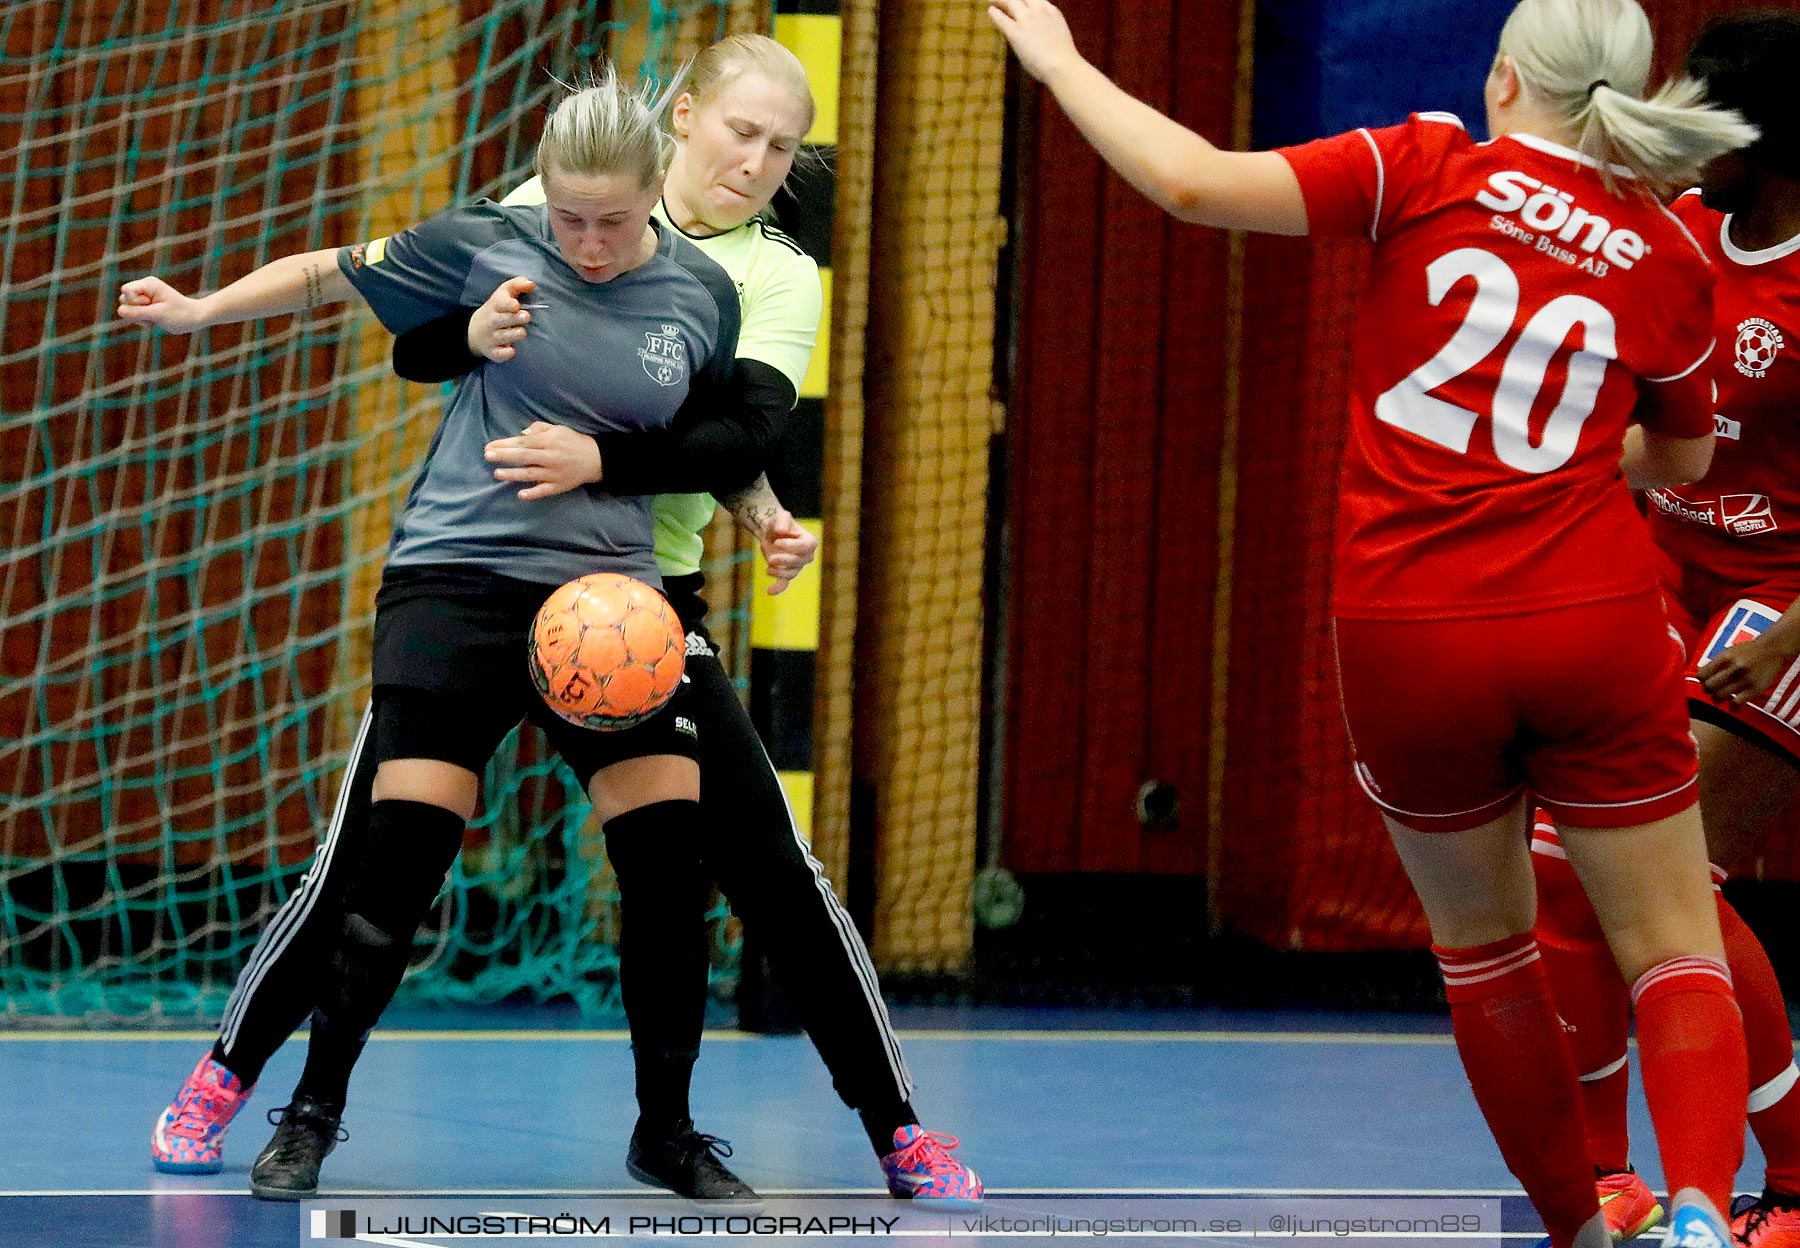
[(640, 323)]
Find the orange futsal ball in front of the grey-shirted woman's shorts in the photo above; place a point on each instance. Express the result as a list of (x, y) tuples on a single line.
[(607, 651)]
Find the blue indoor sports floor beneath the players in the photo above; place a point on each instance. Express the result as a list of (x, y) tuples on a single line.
[(1047, 1103)]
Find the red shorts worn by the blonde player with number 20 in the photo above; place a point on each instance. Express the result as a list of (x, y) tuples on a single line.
[(1452, 721)]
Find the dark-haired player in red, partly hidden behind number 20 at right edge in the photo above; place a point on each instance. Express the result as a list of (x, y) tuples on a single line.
[(1731, 570)]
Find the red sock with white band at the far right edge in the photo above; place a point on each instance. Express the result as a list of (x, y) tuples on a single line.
[(1770, 1044)]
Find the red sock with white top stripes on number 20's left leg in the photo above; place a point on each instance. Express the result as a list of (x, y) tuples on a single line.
[(1524, 1078)]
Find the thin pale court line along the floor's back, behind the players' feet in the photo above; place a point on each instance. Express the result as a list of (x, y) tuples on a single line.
[(735, 1036)]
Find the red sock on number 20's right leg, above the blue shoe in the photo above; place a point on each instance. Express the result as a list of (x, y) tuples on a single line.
[(1691, 1045)]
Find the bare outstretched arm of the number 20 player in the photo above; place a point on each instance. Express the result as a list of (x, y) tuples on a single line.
[(1171, 165)]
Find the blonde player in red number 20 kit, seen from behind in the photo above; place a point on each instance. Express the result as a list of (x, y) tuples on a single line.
[(1497, 592)]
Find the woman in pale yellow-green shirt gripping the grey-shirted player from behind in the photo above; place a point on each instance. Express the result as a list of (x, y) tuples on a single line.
[(739, 129)]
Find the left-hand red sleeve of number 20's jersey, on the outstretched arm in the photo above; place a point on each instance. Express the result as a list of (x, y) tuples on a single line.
[(1363, 181)]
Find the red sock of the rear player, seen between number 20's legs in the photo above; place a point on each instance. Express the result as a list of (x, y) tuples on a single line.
[(1590, 997)]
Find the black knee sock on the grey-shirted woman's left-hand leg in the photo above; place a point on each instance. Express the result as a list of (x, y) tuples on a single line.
[(411, 849)]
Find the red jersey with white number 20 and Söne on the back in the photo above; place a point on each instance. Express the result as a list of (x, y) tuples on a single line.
[(1516, 312)]
